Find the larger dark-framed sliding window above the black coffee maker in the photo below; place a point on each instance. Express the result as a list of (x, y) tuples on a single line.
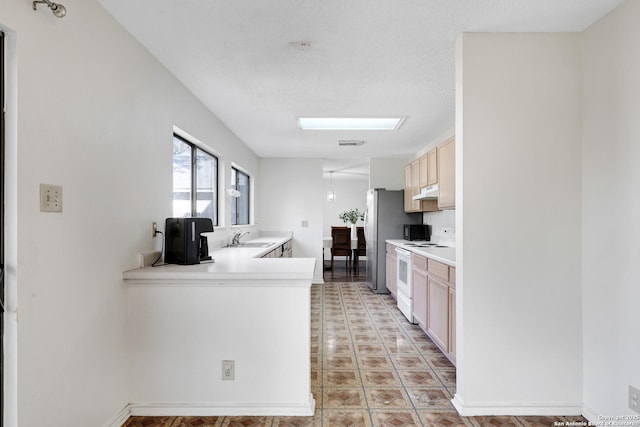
[(195, 181)]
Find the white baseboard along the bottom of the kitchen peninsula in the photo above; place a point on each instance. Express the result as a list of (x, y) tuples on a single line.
[(206, 409)]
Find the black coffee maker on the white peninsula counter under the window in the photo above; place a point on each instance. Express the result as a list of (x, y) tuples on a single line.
[(183, 242)]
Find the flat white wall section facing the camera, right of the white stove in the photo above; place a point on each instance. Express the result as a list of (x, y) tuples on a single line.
[(518, 143)]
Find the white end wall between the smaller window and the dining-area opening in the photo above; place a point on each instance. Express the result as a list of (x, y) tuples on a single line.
[(291, 194)]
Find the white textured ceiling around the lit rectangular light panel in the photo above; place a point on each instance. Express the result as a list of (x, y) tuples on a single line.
[(367, 58)]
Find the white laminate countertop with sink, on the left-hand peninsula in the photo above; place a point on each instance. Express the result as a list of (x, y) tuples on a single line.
[(231, 264)]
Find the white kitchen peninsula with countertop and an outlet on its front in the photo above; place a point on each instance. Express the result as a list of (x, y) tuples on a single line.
[(185, 320)]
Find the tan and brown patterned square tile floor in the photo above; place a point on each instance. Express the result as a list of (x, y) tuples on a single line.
[(370, 367)]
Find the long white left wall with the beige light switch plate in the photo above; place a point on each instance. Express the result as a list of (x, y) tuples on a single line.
[(94, 114)]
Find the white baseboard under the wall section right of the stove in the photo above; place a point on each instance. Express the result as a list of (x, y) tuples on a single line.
[(516, 409)]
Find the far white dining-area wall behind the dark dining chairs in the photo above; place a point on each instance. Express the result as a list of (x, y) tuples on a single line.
[(351, 193)]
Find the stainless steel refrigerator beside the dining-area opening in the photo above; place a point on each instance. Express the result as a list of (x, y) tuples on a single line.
[(384, 219)]
